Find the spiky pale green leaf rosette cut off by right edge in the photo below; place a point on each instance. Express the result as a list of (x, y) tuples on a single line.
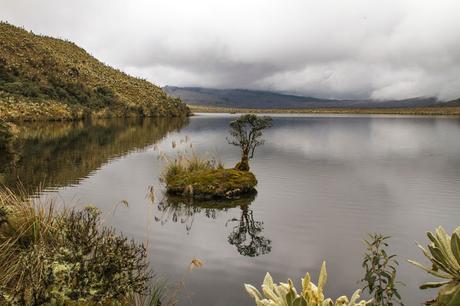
[(443, 251)]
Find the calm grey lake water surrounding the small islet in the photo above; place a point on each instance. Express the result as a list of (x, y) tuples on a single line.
[(324, 183)]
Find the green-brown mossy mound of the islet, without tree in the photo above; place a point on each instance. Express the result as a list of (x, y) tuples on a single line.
[(212, 184)]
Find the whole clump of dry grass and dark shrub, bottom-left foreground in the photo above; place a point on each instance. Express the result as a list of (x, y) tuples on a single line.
[(50, 256)]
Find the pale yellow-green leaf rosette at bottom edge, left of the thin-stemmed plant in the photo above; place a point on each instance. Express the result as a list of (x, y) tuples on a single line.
[(285, 294)]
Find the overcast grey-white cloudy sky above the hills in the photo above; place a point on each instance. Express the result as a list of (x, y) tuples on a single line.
[(328, 48)]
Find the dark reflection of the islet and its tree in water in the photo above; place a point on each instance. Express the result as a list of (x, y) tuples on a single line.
[(246, 235)]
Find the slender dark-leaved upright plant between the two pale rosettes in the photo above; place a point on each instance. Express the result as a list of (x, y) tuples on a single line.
[(380, 272)]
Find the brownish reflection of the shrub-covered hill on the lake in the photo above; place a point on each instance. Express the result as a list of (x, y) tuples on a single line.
[(56, 154)]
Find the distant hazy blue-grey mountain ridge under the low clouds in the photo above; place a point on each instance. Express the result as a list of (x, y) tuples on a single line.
[(245, 98)]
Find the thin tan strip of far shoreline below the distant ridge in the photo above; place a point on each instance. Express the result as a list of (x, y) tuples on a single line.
[(422, 111)]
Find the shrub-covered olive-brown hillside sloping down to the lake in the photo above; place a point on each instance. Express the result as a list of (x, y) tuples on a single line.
[(47, 78)]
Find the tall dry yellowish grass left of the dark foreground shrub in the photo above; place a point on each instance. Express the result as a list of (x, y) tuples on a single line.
[(29, 228)]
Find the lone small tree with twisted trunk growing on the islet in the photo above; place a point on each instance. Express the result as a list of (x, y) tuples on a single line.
[(246, 133)]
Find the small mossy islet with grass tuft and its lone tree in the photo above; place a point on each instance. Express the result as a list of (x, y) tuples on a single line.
[(199, 178)]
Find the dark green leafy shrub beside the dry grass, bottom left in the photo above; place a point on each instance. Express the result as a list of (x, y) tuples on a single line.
[(95, 264)]
